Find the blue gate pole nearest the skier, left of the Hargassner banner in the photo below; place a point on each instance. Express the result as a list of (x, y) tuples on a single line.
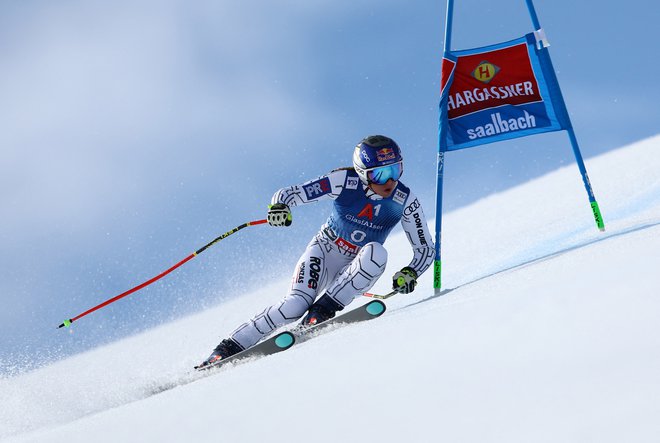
[(437, 264)]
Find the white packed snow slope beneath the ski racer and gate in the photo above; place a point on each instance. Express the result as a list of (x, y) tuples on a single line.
[(547, 331)]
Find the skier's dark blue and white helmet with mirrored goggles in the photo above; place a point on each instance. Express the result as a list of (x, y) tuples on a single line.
[(377, 159)]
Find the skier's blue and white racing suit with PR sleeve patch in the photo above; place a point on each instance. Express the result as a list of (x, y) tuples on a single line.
[(346, 256)]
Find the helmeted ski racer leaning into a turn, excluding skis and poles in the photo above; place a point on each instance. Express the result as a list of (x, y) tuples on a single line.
[(346, 257)]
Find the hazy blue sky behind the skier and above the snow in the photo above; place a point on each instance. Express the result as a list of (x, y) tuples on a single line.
[(132, 133)]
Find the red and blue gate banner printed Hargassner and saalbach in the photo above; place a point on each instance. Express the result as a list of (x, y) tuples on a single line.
[(499, 92)]
